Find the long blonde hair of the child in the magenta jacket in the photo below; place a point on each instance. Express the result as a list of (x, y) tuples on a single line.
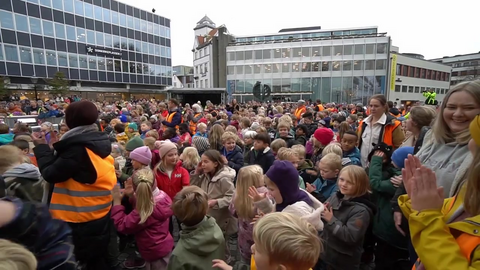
[(143, 181)]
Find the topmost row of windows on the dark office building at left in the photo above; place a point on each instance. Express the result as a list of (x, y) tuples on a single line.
[(144, 21)]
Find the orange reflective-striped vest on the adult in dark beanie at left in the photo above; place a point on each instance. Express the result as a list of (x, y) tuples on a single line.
[(75, 202)]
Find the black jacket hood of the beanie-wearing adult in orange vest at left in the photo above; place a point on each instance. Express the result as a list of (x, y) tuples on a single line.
[(96, 141)]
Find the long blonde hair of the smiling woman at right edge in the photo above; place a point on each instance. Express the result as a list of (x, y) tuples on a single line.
[(440, 129)]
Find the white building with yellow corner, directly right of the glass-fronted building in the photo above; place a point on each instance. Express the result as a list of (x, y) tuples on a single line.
[(411, 74)]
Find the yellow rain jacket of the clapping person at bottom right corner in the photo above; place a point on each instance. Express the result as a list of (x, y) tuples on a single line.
[(442, 246)]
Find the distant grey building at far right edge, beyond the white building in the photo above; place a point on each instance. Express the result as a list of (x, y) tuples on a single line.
[(465, 67)]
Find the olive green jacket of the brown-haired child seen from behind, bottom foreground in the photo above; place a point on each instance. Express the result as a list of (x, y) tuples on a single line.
[(198, 246)]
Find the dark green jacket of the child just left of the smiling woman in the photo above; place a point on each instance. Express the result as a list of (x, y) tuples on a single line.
[(383, 191)]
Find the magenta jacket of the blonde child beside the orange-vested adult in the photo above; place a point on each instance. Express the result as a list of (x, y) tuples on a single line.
[(153, 238)]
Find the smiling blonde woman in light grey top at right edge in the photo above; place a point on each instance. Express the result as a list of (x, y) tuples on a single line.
[(445, 146)]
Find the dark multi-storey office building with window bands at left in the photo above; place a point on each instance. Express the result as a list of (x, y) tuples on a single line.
[(105, 48)]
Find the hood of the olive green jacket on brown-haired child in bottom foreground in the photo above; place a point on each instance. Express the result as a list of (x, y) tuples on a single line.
[(202, 235)]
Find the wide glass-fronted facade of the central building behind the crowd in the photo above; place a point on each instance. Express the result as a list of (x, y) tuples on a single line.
[(349, 70)]
